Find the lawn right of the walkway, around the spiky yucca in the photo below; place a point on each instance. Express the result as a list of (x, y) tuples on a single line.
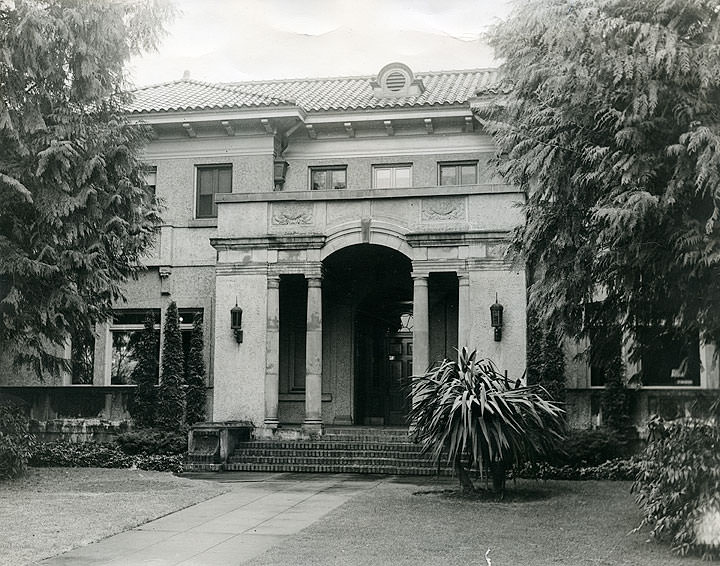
[(538, 524)]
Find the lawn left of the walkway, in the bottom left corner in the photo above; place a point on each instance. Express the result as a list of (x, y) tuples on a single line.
[(52, 510)]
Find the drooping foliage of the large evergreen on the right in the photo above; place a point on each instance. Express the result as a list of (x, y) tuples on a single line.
[(608, 117)]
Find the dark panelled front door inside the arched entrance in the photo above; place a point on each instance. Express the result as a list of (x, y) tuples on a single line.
[(398, 372)]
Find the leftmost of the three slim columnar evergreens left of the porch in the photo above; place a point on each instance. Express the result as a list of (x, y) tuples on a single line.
[(145, 376)]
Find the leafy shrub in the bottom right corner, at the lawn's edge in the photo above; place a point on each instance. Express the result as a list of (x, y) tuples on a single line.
[(678, 485)]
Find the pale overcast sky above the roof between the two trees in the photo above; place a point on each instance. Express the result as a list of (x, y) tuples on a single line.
[(236, 40)]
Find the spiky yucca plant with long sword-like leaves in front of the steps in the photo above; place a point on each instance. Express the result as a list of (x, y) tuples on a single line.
[(477, 417)]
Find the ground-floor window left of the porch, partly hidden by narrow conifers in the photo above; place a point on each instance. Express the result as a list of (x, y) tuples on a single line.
[(127, 332)]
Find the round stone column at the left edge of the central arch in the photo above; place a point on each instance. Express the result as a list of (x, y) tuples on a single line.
[(313, 354)]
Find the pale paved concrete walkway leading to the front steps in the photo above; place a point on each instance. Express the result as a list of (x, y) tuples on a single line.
[(260, 511)]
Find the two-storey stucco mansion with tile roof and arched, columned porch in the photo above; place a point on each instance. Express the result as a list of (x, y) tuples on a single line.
[(336, 235)]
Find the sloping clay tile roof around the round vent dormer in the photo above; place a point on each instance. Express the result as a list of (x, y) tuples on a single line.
[(312, 95)]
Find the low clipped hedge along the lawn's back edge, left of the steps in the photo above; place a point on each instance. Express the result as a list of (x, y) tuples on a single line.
[(100, 455)]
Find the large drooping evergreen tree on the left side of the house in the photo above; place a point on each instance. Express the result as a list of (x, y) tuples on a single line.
[(76, 216)]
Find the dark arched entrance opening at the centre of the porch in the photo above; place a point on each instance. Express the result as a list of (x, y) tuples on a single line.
[(367, 303)]
